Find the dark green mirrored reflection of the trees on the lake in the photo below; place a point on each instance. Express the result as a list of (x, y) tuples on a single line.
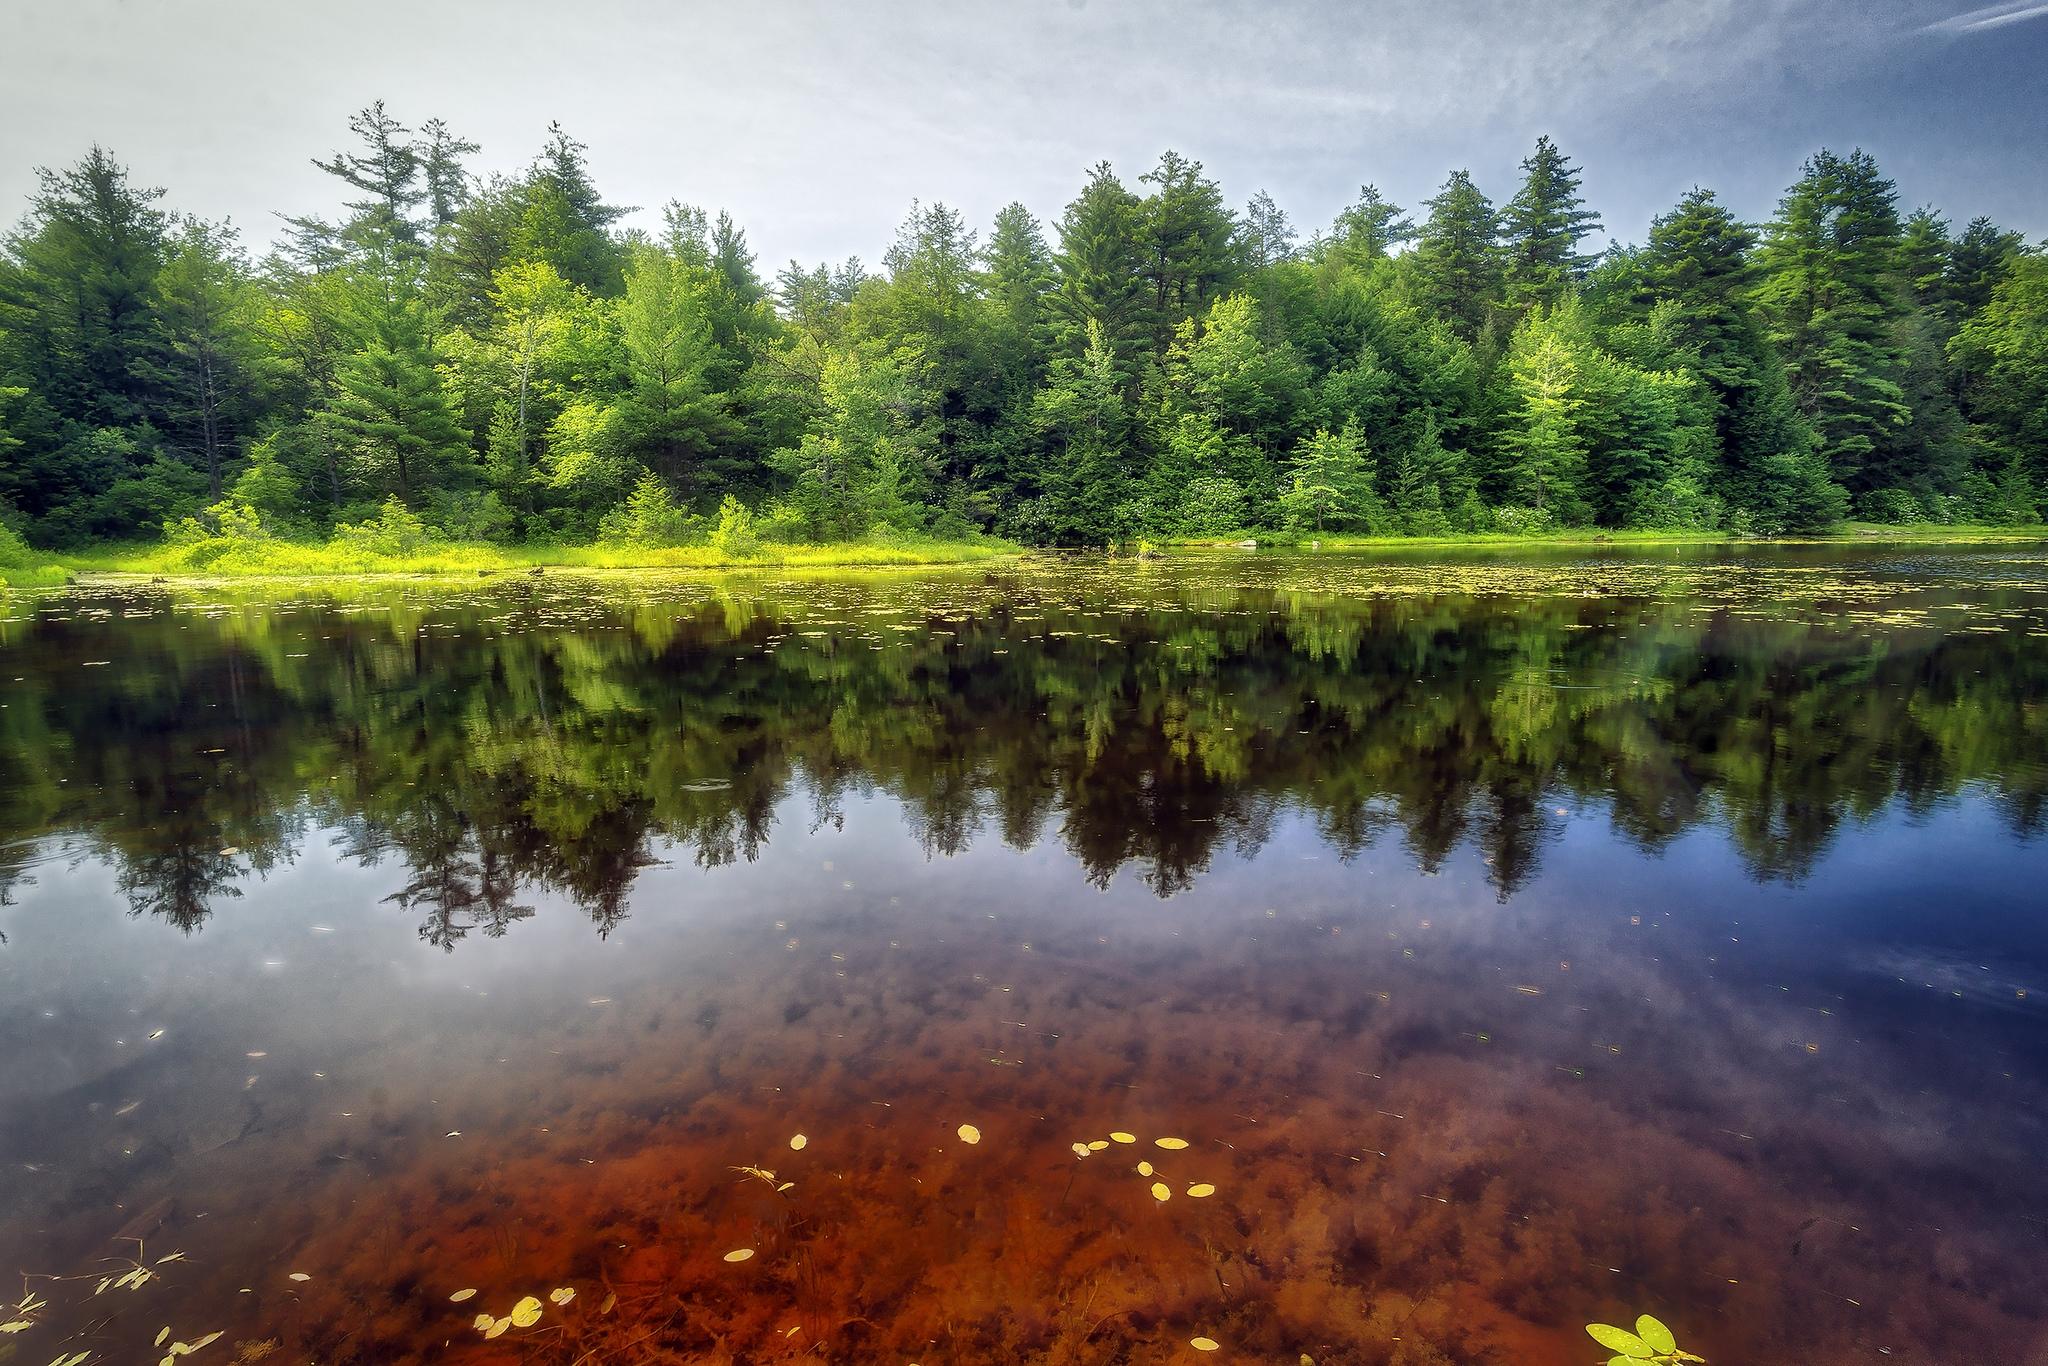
[(519, 742)]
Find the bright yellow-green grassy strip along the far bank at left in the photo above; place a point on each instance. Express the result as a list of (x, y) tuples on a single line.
[(302, 560)]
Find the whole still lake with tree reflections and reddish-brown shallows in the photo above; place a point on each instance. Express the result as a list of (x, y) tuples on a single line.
[(1510, 945)]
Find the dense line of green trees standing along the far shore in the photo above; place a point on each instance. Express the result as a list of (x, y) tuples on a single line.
[(507, 361)]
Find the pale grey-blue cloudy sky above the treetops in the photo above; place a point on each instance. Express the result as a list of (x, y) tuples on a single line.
[(818, 122)]
